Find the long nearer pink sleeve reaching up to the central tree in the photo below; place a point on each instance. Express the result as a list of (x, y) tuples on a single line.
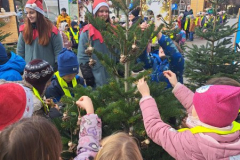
[(177, 144)]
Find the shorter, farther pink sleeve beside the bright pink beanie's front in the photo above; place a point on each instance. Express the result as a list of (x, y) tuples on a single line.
[(184, 96)]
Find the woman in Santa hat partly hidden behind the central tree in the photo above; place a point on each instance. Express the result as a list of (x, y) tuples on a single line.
[(96, 75)]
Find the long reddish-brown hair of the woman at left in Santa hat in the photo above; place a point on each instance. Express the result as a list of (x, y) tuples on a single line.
[(44, 27)]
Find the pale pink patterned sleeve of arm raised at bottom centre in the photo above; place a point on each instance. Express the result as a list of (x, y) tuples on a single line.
[(89, 136)]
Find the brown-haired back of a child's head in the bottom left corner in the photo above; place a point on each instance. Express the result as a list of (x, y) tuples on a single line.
[(31, 138)]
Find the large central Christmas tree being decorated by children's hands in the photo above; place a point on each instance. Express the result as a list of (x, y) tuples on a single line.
[(117, 103)]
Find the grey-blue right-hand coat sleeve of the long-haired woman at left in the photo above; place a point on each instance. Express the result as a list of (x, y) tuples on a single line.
[(57, 44)]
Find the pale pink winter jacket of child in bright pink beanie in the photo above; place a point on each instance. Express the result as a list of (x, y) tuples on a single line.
[(185, 145)]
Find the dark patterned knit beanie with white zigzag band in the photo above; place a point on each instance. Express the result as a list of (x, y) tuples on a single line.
[(37, 73)]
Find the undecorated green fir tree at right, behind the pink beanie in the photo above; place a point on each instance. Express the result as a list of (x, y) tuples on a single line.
[(216, 58)]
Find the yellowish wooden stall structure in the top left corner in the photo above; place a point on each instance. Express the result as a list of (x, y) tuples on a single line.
[(11, 24)]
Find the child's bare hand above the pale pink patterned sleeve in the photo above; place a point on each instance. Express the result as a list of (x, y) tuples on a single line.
[(85, 102)]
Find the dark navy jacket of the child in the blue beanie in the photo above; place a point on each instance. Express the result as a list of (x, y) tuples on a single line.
[(55, 92)]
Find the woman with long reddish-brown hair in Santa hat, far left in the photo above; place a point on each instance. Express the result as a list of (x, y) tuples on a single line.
[(38, 38)]
